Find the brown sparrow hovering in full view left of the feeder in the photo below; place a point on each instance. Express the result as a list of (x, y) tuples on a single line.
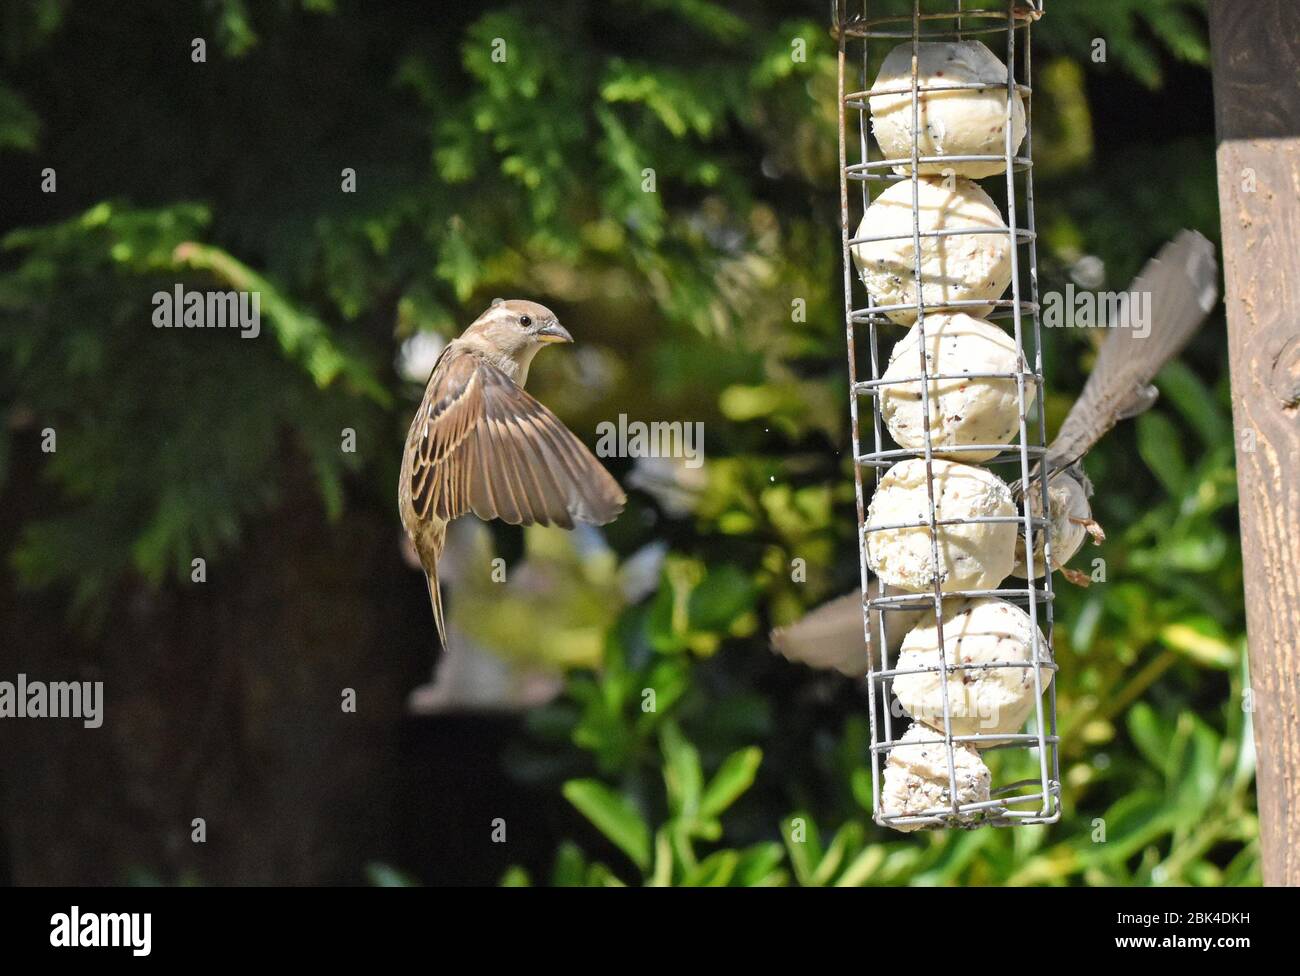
[(479, 444)]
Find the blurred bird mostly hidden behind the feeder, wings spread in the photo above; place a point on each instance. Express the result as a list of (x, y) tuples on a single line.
[(1182, 281)]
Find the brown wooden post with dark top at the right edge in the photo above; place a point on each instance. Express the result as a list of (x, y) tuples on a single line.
[(1255, 49)]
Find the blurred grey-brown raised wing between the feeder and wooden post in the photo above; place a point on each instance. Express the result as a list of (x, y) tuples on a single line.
[(1182, 281)]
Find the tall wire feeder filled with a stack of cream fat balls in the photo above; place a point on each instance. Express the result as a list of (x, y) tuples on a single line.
[(939, 770)]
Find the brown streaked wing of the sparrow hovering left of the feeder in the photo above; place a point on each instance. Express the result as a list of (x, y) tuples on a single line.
[(483, 445)]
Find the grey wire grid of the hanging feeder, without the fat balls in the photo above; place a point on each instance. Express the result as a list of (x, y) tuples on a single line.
[(1029, 800)]
